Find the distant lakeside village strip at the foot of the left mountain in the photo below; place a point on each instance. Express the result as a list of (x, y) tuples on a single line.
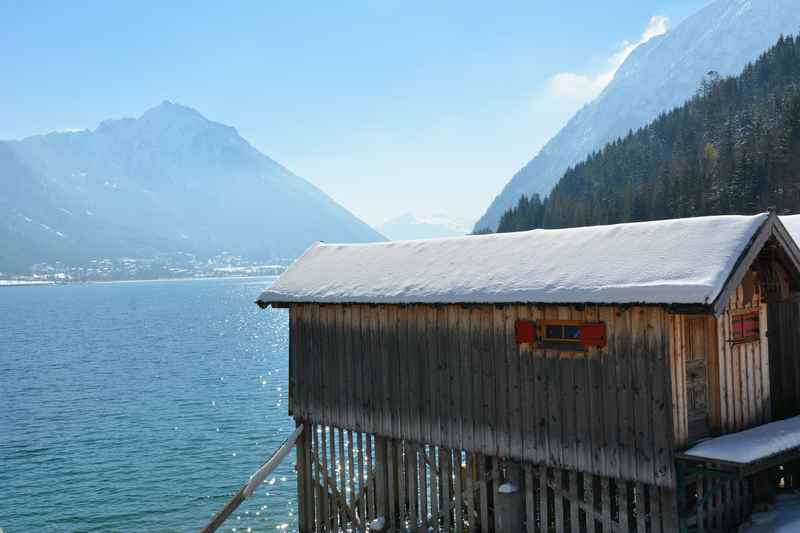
[(168, 266)]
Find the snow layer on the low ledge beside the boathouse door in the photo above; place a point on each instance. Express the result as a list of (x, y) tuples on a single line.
[(751, 444)]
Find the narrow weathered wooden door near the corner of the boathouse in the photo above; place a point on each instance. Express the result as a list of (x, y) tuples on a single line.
[(697, 382)]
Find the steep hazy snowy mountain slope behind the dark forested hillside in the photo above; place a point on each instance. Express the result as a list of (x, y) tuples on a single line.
[(659, 75)]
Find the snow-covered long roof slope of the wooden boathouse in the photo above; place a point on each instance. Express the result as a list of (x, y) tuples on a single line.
[(679, 261)]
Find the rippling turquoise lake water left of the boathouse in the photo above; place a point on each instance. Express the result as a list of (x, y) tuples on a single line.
[(141, 406)]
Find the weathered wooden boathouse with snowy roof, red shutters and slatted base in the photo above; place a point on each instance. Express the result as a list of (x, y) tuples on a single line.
[(549, 380)]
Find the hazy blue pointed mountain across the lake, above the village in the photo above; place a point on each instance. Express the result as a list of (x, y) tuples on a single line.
[(169, 181)]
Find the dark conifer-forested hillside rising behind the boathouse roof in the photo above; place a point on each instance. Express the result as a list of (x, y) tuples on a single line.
[(733, 148)]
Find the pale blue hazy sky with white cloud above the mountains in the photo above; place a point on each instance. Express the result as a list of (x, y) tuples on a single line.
[(389, 107)]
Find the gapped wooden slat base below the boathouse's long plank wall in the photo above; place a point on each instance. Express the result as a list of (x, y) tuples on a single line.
[(347, 479)]
